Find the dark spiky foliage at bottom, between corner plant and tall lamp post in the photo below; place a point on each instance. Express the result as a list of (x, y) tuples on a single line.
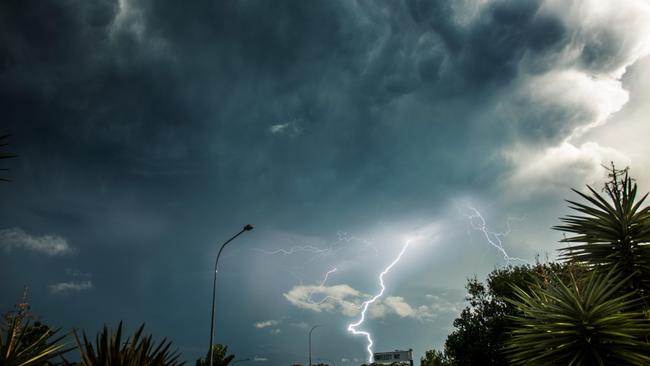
[(110, 350)]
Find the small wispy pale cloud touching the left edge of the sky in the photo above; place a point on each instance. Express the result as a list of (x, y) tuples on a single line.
[(16, 238)]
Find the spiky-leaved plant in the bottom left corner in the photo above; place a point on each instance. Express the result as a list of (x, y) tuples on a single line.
[(16, 351)]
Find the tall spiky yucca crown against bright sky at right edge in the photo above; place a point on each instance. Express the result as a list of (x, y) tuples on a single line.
[(613, 232)]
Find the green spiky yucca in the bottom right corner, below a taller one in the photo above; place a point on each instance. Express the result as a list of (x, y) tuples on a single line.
[(578, 323)]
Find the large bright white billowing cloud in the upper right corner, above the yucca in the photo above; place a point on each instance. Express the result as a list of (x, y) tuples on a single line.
[(581, 89)]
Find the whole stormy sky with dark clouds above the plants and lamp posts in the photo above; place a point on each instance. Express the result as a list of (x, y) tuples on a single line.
[(149, 132)]
